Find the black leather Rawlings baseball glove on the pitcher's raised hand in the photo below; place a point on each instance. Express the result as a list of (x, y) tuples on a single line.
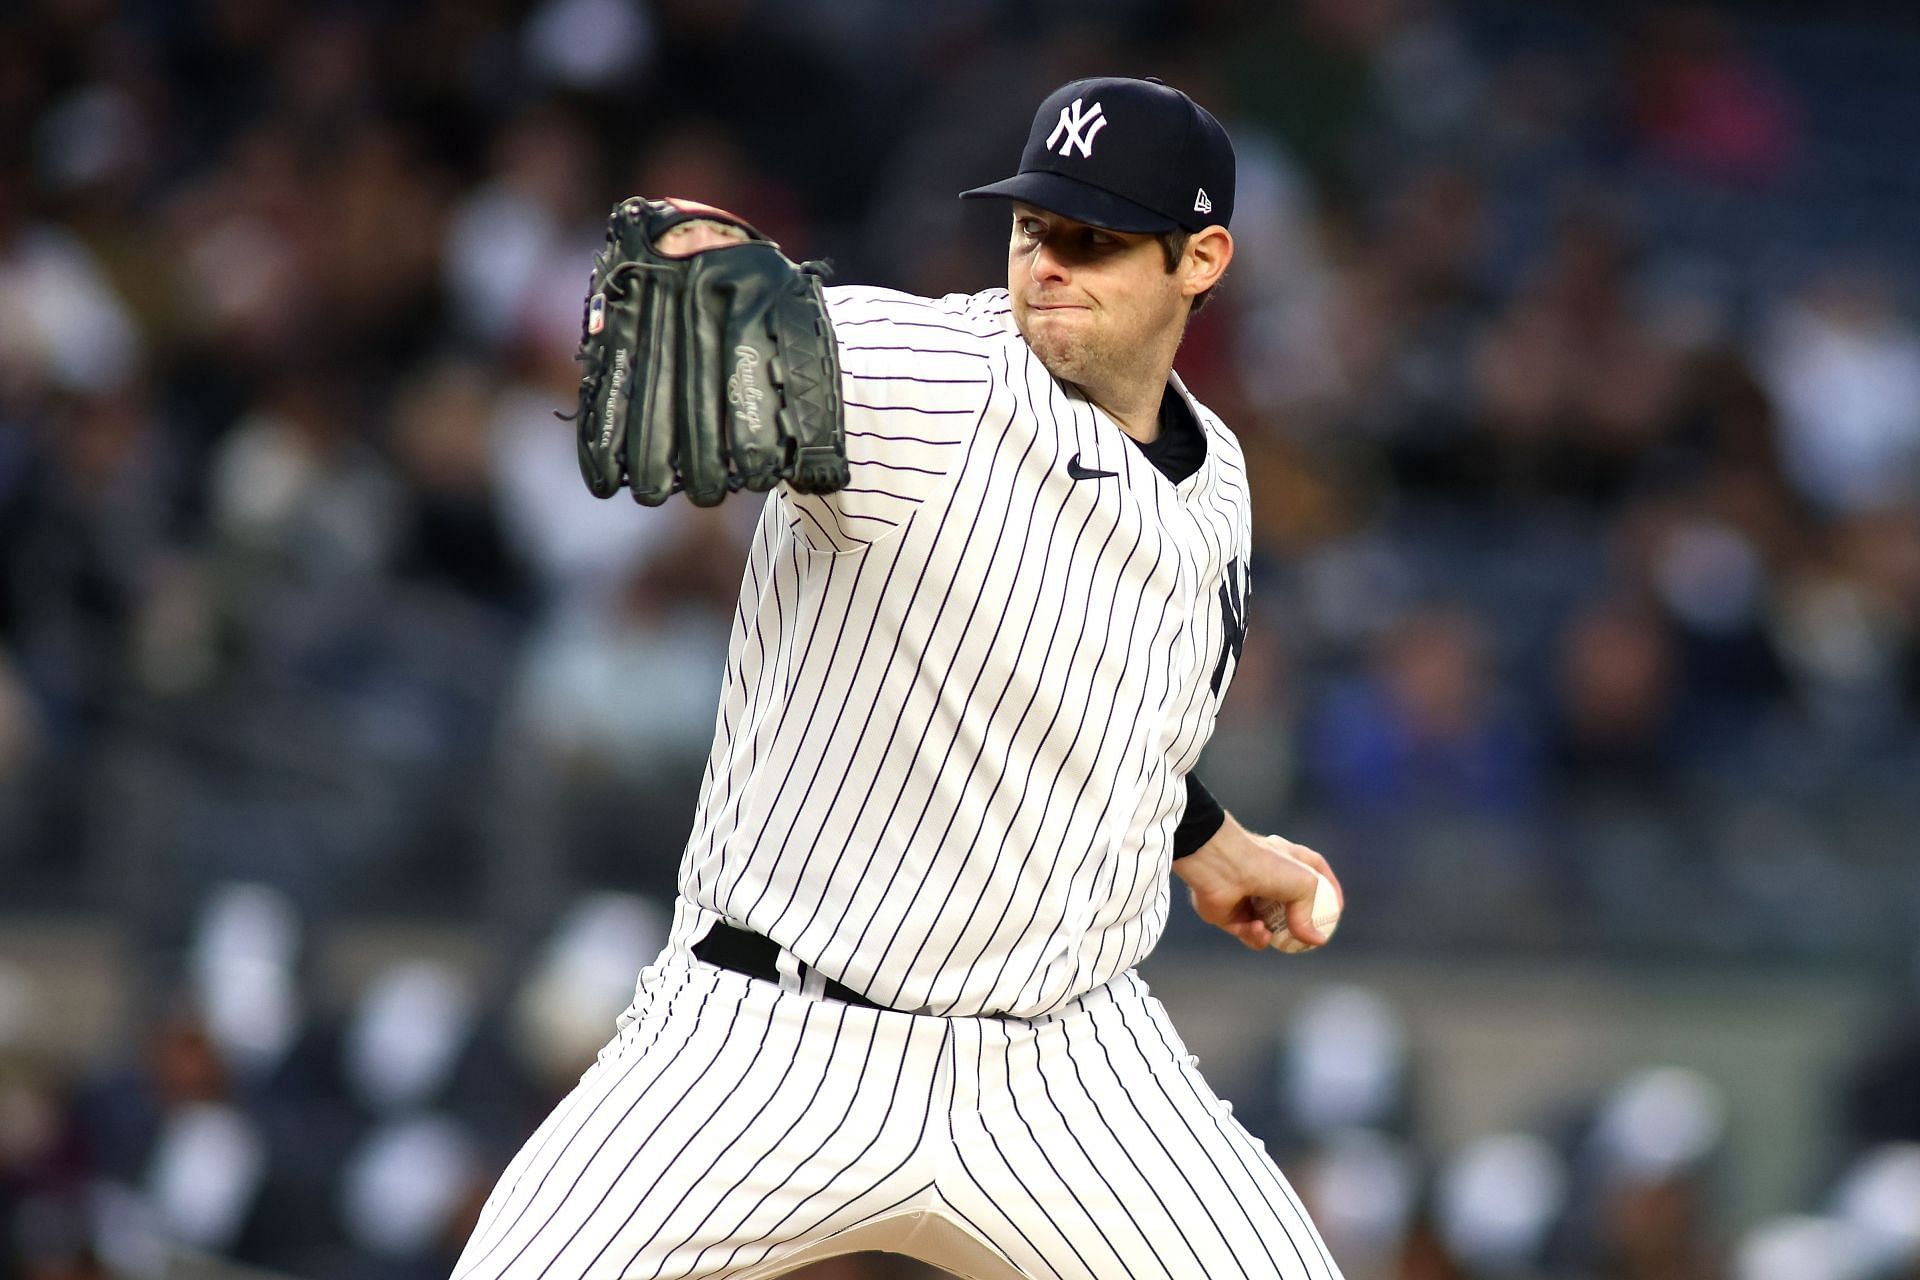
[(706, 373)]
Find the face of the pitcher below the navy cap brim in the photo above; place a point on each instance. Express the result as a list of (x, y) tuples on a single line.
[(1090, 302)]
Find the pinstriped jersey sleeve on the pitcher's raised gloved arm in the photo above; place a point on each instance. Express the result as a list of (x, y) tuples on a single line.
[(915, 379)]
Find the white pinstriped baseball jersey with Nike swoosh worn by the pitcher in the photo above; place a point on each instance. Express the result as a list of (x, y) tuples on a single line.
[(961, 696)]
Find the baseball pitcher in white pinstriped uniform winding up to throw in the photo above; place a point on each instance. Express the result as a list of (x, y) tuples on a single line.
[(992, 609)]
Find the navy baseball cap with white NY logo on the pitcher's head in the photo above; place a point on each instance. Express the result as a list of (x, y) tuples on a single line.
[(1124, 154)]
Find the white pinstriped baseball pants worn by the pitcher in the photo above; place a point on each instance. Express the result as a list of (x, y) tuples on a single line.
[(736, 1129)]
